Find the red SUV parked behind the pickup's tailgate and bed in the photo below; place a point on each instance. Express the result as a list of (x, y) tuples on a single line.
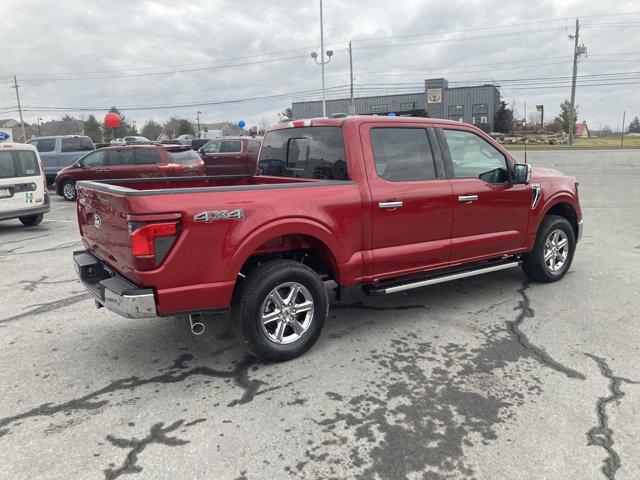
[(129, 162)]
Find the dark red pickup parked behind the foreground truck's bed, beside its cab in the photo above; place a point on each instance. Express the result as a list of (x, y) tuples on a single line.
[(231, 155)]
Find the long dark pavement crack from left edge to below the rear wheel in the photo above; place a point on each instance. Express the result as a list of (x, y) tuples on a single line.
[(177, 373)]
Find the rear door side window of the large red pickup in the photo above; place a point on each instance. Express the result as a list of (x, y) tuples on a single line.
[(402, 154)]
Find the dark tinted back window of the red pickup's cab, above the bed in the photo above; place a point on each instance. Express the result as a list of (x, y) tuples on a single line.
[(307, 152)]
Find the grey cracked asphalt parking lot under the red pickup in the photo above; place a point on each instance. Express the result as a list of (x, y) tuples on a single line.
[(491, 377)]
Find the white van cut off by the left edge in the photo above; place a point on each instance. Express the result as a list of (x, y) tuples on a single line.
[(23, 188)]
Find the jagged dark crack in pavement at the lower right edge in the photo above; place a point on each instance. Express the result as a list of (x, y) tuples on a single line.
[(602, 435)]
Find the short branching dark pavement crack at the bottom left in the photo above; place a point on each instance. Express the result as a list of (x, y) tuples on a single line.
[(158, 434)]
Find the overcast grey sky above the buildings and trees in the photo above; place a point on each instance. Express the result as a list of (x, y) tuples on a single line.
[(94, 54)]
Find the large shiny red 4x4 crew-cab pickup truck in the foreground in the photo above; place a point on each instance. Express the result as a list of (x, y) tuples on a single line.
[(389, 204)]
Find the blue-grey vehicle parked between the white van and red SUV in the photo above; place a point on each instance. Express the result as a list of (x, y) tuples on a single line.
[(57, 152)]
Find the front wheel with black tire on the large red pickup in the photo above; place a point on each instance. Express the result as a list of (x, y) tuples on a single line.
[(552, 252)]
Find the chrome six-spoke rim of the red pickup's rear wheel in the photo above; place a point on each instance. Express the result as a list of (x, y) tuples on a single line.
[(286, 313)]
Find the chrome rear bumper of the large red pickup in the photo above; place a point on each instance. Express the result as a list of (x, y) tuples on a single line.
[(113, 291)]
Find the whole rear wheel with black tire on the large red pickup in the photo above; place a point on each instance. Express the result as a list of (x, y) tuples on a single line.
[(280, 310)]
